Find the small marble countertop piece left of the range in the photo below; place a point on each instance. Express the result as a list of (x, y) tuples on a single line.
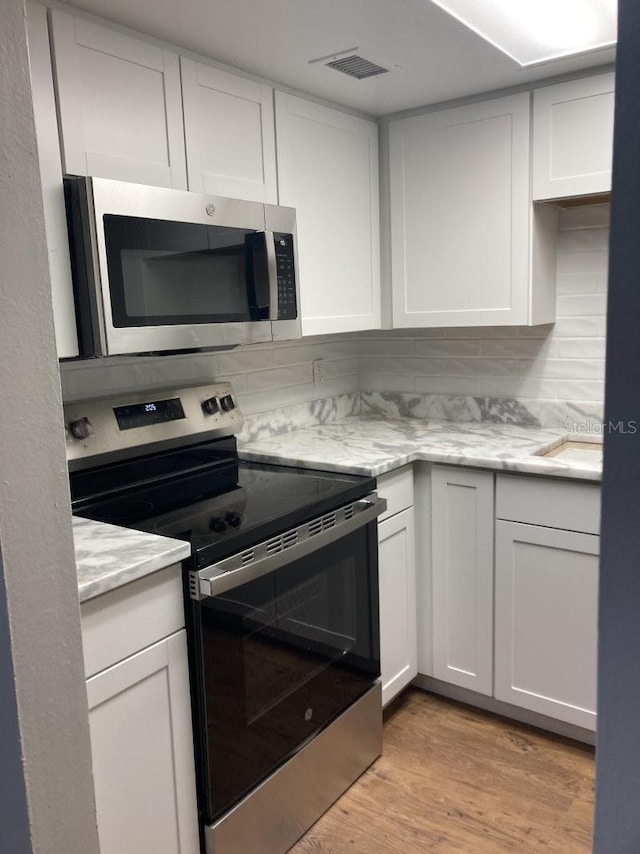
[(108, 556)]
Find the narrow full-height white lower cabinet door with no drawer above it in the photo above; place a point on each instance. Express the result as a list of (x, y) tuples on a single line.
[(462, 566)]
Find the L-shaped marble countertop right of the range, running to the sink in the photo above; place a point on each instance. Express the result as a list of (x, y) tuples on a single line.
[(374, 445)]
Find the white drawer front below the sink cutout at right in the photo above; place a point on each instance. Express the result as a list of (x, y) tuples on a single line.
[(549, 502)]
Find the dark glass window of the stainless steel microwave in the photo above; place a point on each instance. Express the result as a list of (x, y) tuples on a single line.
[(168, 273)]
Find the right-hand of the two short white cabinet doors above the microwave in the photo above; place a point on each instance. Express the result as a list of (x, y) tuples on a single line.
[(229, 134)]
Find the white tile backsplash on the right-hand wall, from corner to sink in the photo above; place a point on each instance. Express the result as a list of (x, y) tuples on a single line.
[(559, 362)]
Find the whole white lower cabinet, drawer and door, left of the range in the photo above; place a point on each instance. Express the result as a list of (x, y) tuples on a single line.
[(140, 718)]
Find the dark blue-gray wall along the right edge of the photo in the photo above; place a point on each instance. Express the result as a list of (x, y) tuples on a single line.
[(617, 825)]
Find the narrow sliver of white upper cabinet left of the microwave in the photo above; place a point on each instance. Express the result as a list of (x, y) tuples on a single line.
[(55, 218)]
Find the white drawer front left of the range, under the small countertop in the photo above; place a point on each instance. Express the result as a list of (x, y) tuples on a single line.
[(130, 618)]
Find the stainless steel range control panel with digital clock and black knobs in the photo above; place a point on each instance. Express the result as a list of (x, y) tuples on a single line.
[(97, 428)]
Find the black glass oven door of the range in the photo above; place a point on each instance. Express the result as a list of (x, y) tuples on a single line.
[(280, 656)]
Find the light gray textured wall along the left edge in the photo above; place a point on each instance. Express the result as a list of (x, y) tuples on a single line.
[(46, 787)]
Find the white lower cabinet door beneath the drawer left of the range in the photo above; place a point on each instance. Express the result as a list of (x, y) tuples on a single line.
[(142, 747)]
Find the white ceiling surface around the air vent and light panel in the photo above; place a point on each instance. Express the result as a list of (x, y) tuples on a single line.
[(437, 57)]
